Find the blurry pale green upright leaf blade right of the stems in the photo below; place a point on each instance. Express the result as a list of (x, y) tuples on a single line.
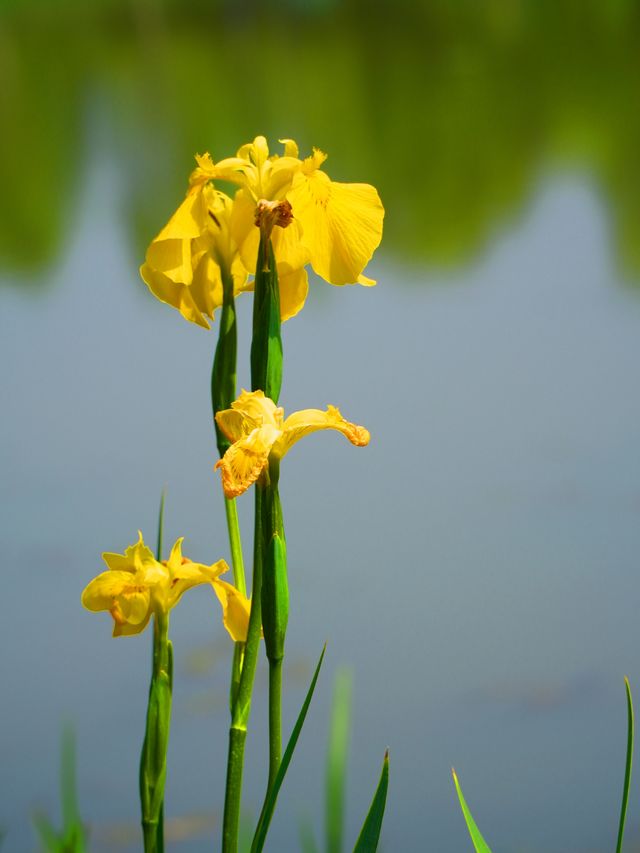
[(337, 761)]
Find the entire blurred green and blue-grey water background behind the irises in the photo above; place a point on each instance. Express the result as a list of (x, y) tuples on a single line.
[(476, 568)]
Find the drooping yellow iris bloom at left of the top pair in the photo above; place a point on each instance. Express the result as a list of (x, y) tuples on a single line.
[(186, 262)]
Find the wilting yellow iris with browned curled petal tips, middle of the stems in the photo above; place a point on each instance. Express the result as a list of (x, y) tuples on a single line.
[(259, 431)]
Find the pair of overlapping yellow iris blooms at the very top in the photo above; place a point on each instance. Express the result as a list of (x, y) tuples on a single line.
[(211, 238)]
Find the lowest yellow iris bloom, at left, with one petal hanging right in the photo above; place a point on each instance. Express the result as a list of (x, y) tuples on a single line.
[(137, 585)]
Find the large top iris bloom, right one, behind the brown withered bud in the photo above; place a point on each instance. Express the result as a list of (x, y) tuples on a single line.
[(336, 227)]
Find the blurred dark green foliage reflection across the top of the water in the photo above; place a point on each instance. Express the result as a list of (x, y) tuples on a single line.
[(452, 110)]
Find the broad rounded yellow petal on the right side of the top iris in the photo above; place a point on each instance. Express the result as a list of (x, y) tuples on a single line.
[(342, 224)]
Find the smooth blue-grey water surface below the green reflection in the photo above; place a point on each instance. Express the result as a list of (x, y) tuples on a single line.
[(476, 567)]
